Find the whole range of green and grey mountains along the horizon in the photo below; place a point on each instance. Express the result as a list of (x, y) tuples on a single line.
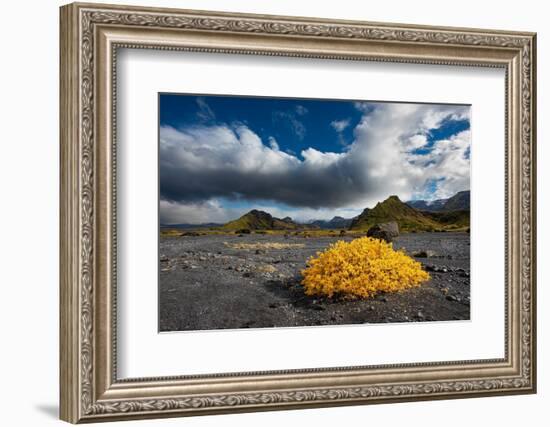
[(418, 215)]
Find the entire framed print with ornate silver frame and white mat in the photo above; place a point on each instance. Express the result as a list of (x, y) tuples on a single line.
[(264, 212)]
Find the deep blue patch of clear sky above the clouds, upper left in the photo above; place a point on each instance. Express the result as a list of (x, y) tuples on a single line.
[(296, 124)]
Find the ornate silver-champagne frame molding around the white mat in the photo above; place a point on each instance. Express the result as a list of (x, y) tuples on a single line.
[(90, 37)]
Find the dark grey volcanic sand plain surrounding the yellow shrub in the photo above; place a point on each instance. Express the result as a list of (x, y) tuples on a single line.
[(206, 284)]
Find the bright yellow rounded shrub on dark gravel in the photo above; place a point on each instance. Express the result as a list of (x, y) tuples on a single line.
[(362, 267)]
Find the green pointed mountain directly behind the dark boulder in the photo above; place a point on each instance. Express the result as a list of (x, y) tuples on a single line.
[(393, 209)]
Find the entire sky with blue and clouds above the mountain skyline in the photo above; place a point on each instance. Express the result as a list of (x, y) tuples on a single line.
[(221, 156)]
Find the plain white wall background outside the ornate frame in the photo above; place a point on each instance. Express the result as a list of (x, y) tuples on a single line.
[(29, 170)]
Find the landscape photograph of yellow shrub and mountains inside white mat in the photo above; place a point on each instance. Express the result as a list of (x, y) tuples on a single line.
[(291, 212)]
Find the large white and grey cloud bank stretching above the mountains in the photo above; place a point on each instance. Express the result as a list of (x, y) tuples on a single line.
[(204, 163)]
